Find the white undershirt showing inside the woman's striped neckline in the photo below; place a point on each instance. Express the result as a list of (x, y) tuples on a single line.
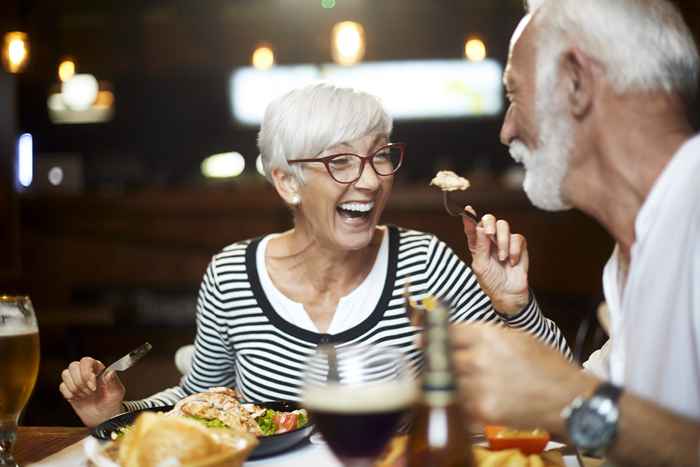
[(352, 309)]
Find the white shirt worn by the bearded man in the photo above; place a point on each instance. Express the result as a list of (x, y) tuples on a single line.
[(655, 320)]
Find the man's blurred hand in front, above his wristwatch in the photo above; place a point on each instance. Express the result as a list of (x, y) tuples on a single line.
[(508, 377)]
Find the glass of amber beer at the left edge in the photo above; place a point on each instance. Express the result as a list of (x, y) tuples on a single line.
[(19, 366)]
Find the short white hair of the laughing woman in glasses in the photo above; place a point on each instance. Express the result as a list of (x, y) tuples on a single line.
[(306, 121)]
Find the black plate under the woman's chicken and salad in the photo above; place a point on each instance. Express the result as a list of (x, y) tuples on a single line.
[(268, 446)]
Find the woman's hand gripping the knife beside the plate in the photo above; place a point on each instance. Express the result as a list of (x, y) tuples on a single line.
[(94, 401)]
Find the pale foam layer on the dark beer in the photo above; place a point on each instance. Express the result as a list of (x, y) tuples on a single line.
[(371, 398)]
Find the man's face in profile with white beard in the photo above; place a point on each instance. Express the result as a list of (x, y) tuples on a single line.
[(536, 128)]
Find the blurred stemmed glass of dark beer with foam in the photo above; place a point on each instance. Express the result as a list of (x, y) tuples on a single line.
[(357, 396)]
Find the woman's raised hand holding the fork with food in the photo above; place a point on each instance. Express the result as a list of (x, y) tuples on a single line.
[(500, 266)]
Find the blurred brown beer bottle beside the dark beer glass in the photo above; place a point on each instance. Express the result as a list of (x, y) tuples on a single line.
[(439, 436)]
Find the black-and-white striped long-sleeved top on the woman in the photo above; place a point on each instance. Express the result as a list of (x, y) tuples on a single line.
[(242, 342)]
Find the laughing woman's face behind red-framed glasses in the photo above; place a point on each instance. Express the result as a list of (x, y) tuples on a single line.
[(344, 216)]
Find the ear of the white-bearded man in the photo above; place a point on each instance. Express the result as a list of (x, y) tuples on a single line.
[(578, 77)]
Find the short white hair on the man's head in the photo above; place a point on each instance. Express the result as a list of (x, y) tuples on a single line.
[(644, 45)]
